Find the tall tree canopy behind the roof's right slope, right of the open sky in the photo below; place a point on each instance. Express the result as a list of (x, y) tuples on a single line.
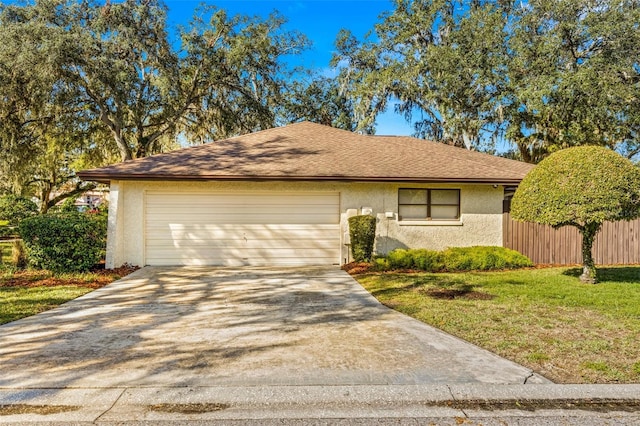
[(441, 62)]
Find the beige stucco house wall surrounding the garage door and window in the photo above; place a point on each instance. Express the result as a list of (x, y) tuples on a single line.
[(480, 222)]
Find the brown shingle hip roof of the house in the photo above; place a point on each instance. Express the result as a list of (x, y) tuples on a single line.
[(308, 151)]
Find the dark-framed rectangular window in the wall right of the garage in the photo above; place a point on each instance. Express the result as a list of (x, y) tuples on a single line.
[(428, 204)]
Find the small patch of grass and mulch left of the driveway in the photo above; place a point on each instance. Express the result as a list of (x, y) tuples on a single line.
[(26, 293)]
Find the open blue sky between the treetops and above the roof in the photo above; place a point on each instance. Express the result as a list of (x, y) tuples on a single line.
[(319, 20)]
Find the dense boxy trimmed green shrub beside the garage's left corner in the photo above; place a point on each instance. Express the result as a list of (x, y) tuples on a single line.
[(70, 242)]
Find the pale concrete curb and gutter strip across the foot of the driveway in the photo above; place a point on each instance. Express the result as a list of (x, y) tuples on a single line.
[(619, 404)]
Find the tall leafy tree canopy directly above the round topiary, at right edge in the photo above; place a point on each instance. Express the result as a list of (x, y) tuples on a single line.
[(574, 76)]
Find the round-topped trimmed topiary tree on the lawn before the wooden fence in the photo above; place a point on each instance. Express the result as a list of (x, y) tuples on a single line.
[(582, 187)]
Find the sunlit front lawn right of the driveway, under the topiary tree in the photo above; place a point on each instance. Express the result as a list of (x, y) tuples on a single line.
[(544, 319)]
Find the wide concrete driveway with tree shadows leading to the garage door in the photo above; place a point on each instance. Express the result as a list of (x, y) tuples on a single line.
[(237, 327)]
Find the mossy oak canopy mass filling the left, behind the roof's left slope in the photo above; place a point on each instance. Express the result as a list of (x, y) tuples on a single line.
[(86, 83)]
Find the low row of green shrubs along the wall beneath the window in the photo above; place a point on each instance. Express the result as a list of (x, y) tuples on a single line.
[(454, 259)]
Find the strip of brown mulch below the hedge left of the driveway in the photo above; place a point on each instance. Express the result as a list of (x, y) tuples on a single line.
[(99, 278)]
